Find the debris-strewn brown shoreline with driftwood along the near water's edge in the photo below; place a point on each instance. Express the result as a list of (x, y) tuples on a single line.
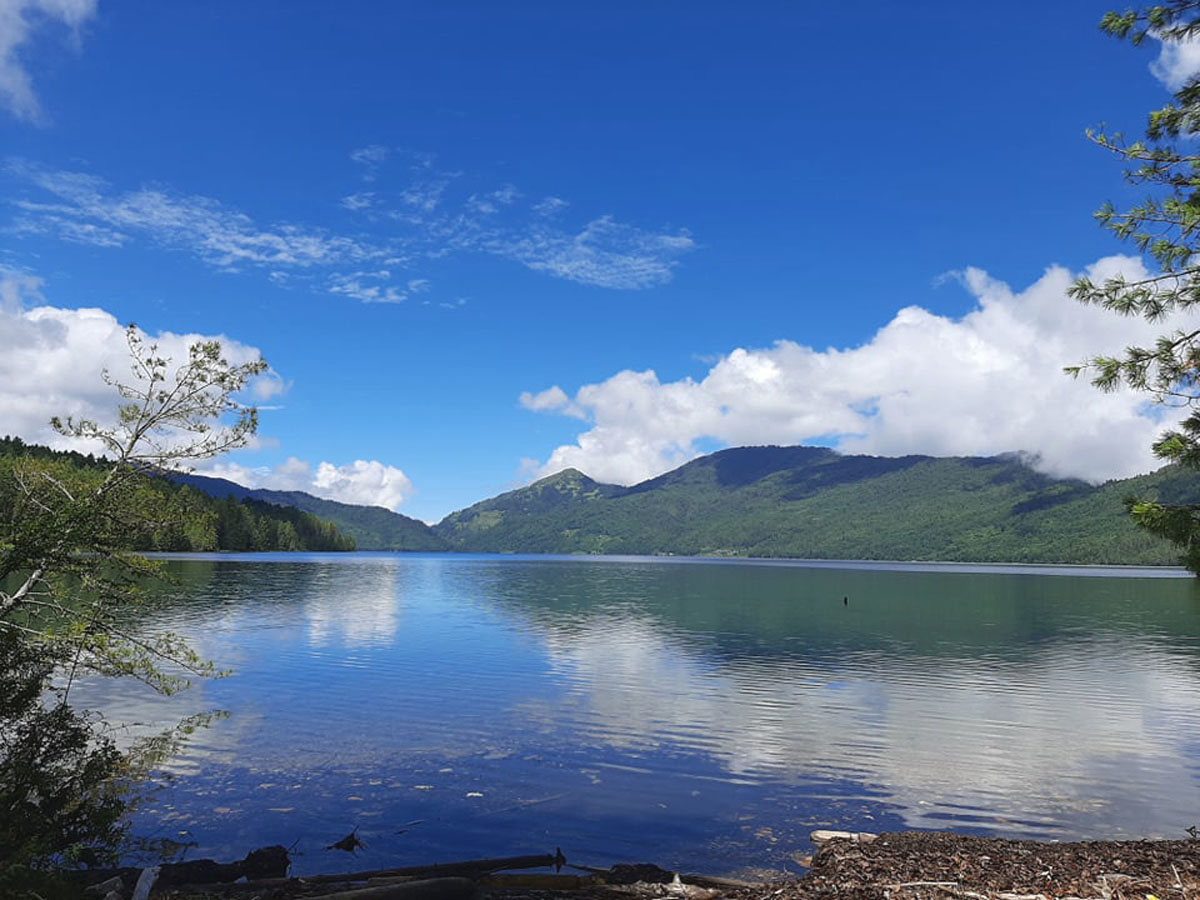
[(901, 866)]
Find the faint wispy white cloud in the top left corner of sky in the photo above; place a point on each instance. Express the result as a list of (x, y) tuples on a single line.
[(20, 20)]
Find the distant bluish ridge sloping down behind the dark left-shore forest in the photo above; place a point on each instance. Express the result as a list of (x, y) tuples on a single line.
[(371, 527)]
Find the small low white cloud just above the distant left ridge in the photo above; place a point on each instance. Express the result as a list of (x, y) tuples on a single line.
[(367, 483)]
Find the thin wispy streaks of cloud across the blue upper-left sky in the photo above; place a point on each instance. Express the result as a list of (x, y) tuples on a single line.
[(419, 223)]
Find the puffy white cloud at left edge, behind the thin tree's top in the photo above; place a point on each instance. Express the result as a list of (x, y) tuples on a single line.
[(55, 358)]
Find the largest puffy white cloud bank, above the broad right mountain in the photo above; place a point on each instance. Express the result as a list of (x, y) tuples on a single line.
[(987, 383)]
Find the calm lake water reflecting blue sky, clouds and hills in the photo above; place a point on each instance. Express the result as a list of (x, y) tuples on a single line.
[(701, 715)]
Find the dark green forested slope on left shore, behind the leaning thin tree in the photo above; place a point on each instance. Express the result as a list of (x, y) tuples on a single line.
[(178, 518)]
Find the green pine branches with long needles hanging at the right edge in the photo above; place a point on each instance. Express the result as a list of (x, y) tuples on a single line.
[(1166, 230)]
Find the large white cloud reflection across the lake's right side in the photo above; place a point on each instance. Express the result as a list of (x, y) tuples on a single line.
[(1087, 735)]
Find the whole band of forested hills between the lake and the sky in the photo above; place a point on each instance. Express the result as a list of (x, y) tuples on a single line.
[(799, 502)]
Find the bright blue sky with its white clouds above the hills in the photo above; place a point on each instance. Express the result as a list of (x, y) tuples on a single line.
[(481, 242)]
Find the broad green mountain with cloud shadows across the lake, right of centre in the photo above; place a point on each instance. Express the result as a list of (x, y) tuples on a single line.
[(815, 503)]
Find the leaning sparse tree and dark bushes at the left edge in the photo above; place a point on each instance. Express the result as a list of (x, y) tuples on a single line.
[(68, 583)]
